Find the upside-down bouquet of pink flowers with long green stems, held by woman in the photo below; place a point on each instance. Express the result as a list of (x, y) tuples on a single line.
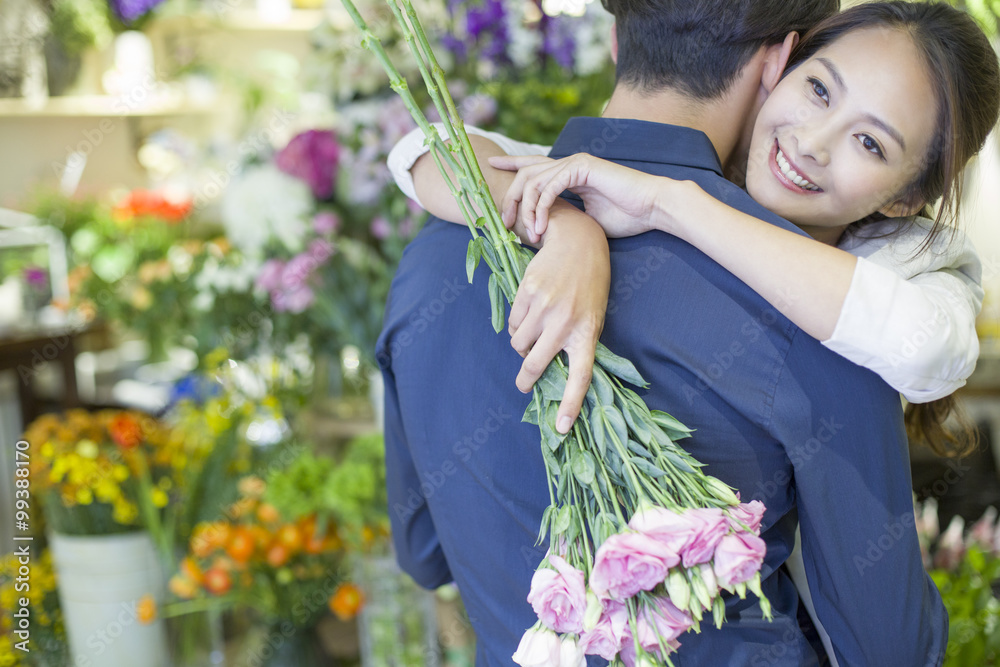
[(642, 541)]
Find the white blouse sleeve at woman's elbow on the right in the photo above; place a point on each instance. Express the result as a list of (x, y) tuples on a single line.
[(912, 319)]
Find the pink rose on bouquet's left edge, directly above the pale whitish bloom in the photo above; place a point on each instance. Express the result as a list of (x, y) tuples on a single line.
[(559, 596)]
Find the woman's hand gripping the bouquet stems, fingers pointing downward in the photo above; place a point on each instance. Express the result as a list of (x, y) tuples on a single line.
[(560, 306)]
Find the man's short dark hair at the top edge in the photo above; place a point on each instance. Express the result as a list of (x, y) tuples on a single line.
[(700, 46)]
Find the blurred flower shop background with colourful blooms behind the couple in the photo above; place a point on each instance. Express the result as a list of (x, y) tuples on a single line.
[(197, 236)]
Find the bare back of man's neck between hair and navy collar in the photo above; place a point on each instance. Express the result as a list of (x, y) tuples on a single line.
[(671, 107)]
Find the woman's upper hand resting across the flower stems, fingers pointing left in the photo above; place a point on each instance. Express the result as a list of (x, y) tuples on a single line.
[(622, 200)]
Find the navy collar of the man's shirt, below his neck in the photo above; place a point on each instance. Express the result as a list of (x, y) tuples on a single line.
[(626, 140)]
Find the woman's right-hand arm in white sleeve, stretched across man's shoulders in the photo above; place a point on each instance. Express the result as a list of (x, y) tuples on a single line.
[(910, 319)]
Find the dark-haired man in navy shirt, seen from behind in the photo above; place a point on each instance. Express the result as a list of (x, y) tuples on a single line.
[(779, 417)]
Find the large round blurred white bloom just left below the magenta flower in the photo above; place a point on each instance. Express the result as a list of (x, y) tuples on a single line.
[(264, 203)]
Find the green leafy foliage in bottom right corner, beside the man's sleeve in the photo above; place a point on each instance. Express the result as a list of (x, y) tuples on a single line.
[(973, 609)]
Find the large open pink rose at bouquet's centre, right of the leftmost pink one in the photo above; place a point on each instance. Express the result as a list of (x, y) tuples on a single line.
[(628, 563)]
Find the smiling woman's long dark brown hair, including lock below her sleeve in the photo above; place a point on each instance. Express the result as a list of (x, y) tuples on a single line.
[(964, 71)]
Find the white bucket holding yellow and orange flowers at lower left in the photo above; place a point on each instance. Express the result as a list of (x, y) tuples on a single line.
[(101, 579)]
